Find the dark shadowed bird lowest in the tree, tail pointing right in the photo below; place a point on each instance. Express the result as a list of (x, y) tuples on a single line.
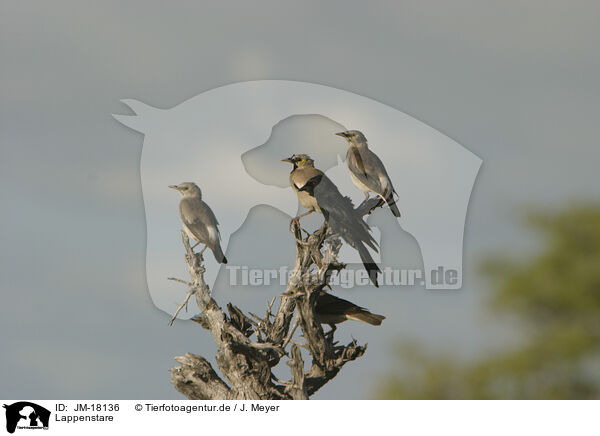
[(333, 310)]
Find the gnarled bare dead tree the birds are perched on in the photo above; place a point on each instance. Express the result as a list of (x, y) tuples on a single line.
[(250, 347)]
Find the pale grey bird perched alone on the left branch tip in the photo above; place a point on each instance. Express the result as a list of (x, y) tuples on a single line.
[(199, 221)]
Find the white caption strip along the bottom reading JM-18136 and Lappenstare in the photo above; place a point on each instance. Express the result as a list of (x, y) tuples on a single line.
[(365, 418)]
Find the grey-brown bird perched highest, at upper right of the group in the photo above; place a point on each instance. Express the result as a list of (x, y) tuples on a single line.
[(367, 171)]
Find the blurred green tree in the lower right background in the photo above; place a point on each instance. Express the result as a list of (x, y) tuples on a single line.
[(555, 297)]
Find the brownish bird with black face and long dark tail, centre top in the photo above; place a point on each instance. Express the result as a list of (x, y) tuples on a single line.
[(318, 193)]
